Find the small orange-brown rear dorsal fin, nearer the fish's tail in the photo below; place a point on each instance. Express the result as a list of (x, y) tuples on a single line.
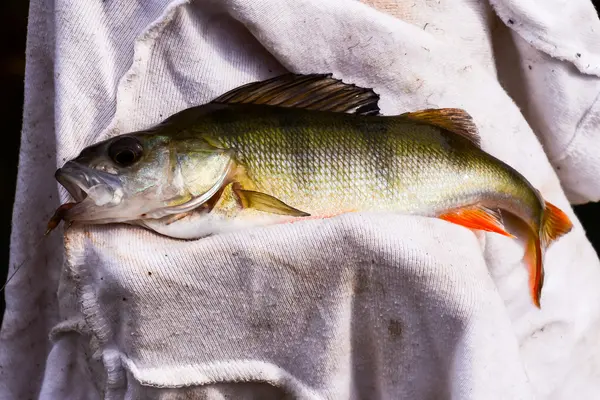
[(454, 120)]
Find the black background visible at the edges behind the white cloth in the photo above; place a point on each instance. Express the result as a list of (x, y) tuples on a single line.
[(13, 29)]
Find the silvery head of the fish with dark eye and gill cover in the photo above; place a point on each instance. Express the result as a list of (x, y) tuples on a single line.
[(140, 176)]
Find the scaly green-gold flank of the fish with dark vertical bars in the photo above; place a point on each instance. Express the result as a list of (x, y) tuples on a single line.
[(323, 160)]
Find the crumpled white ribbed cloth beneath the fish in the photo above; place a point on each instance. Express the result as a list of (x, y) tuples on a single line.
[(358, 306)]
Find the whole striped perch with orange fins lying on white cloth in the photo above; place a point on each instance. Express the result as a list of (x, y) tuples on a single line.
[(298, 147)]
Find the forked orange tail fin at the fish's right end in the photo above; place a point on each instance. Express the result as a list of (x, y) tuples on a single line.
[(555, 223)]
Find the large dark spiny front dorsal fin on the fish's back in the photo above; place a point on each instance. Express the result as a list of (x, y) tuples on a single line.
[(311, 92)]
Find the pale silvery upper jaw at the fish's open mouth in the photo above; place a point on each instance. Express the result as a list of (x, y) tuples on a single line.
[(81, 181)]
